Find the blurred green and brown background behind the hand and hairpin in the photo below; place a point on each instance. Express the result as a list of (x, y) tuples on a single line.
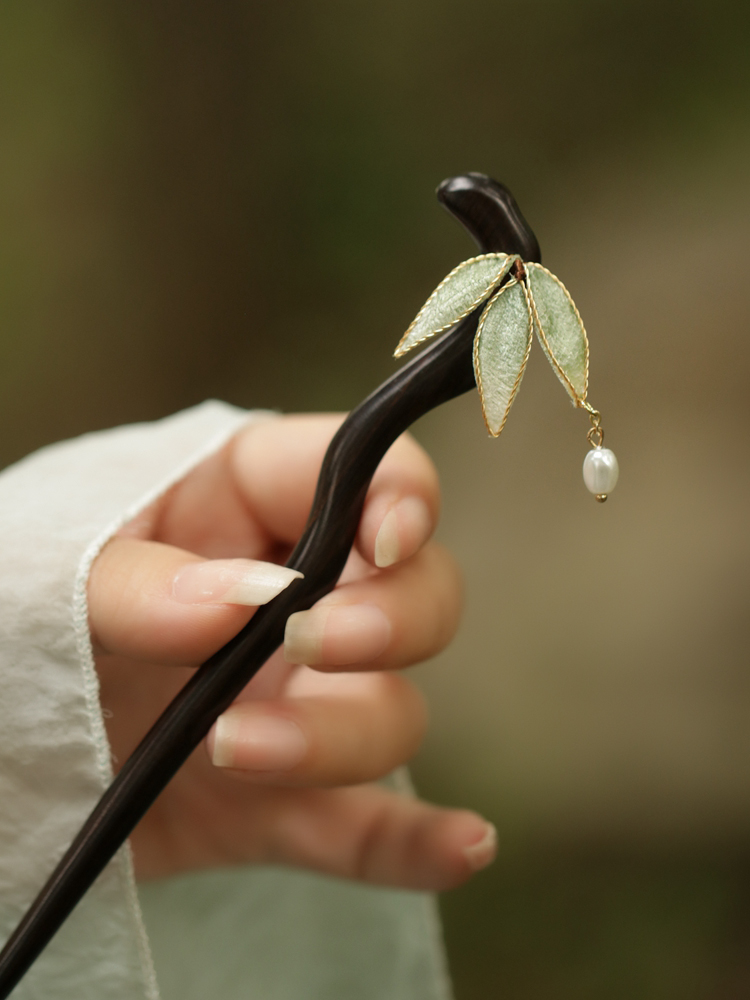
[(236, 200)]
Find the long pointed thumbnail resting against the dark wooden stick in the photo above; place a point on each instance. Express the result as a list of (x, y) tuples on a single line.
[(231, 581)]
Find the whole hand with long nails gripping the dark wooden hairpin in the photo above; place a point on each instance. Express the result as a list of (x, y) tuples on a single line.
[(285, 774)]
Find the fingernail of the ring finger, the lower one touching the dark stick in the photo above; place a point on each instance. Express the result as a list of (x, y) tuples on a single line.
[(257, 743)]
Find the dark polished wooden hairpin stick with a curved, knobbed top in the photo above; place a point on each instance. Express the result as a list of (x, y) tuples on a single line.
[(438, 373)]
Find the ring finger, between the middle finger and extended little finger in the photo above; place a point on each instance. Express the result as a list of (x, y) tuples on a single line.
[(339, 730)]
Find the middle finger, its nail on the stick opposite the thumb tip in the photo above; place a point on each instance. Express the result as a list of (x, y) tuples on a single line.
[(384, 621)]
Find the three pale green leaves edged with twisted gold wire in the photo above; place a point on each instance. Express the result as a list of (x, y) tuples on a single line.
[(532, 299)]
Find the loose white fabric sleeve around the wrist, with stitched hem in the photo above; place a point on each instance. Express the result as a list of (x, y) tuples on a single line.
[(250, 933)]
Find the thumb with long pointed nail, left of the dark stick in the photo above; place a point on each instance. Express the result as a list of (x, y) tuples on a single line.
[(157, 603)]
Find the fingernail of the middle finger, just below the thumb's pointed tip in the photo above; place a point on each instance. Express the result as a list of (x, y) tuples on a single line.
[(337, 634)]
